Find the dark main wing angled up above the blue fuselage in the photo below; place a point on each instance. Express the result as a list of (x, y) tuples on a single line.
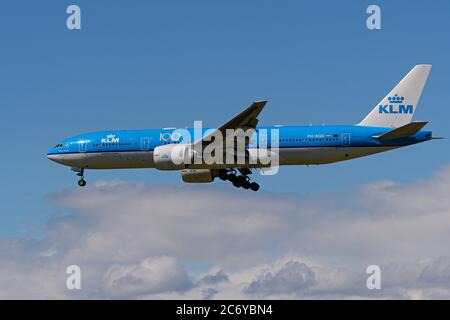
[(247, 119)]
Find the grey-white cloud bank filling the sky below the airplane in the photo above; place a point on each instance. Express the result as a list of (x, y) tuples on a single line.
[(136, 241)]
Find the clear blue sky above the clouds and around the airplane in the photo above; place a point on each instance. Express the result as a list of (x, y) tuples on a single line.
[(150, 64)]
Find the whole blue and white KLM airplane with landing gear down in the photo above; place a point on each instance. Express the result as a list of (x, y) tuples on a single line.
[(388, 126)]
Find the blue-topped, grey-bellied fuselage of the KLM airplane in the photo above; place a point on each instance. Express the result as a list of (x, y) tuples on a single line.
[(297, 145)]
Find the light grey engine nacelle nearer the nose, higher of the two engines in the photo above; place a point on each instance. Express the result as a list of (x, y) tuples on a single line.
[(172, 156)]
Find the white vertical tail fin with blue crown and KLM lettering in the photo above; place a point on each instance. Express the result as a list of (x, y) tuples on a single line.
[(397, 108)]
